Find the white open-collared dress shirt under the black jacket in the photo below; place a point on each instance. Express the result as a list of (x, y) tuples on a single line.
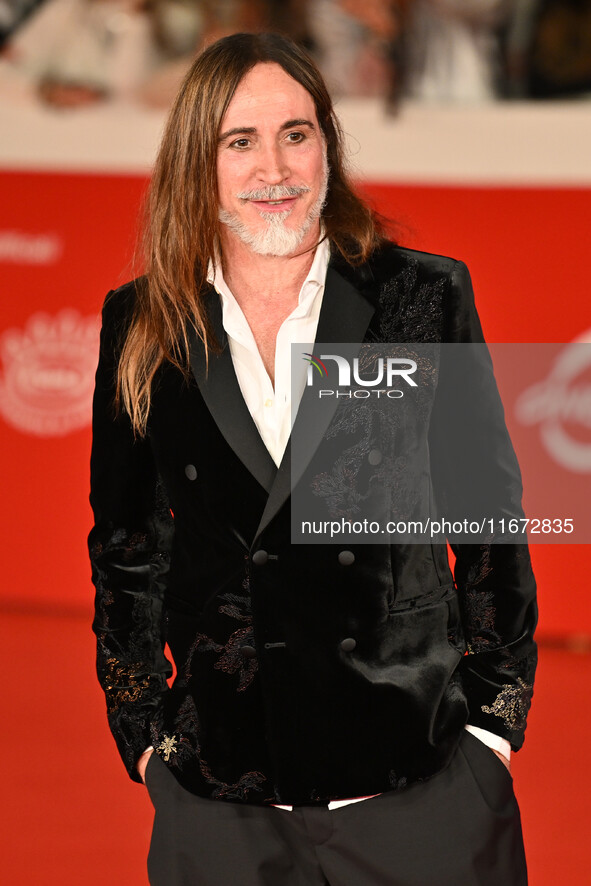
[(271, 408)]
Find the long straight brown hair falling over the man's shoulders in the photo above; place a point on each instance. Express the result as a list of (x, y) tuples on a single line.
[(181, 223)]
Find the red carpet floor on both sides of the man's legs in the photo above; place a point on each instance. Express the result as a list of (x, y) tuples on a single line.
[(71, 816)]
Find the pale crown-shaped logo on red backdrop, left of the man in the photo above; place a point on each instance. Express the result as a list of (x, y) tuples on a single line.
[(48, 379)]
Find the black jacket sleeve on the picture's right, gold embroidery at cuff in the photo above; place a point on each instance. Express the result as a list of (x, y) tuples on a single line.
[(494, 578)]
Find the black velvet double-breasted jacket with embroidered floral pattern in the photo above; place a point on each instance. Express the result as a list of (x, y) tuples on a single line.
[(269, 705)]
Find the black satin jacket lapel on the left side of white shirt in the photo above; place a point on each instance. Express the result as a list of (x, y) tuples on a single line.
[(220, 389)]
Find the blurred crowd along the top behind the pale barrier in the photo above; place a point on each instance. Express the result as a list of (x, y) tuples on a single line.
[(72, 53)]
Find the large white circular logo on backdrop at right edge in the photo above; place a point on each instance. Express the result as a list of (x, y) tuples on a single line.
[(561, 399)]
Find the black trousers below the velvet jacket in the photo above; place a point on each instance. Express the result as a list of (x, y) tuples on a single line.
[(460, 828)]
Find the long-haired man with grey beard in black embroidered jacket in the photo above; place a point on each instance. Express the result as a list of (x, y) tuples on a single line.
[(339, 715)]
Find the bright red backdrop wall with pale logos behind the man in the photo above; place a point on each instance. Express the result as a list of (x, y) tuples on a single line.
[(66, 239)]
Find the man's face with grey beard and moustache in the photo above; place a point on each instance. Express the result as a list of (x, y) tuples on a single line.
[(271, 167)]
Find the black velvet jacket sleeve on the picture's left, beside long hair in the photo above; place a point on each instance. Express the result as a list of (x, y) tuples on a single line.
[(129, 547)]
